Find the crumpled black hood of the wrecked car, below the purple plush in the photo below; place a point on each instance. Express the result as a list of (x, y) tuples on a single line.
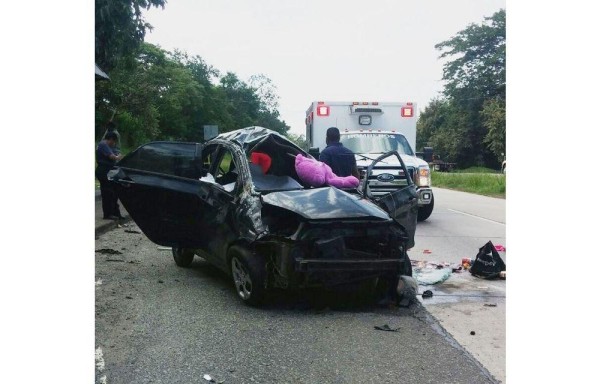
[(327, 203)]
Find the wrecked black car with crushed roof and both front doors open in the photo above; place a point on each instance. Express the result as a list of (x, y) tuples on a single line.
[(260, 223)]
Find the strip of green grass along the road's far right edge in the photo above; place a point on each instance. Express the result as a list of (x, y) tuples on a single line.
[(481, 183)]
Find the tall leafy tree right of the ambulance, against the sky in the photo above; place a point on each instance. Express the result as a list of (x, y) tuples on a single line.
[(466, 124)]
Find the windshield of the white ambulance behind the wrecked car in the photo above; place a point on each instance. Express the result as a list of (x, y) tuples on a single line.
[(376, 143)]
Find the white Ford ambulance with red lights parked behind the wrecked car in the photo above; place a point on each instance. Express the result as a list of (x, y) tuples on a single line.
[(370, 129)]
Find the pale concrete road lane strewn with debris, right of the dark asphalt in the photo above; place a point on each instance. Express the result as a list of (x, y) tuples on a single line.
[(460, 224)]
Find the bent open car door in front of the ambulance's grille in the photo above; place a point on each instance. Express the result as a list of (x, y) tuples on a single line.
[(402, 204)]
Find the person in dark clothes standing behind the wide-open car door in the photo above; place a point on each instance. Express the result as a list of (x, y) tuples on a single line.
[(106, 157)]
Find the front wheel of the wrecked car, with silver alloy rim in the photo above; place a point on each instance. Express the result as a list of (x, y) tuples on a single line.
[(248, 275)]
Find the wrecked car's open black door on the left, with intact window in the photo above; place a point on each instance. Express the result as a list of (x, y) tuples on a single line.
[(159, 186)]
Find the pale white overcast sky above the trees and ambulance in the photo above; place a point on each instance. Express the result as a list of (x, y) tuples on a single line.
[(312, 50)]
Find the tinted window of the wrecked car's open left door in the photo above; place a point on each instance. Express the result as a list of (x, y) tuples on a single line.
[(177, 159)]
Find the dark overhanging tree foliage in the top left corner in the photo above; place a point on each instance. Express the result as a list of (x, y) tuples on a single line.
[(120, 29)]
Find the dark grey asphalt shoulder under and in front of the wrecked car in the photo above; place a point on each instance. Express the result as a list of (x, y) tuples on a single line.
[(157, 323)]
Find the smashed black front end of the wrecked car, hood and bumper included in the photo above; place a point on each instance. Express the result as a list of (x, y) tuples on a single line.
[(312, 247)]
